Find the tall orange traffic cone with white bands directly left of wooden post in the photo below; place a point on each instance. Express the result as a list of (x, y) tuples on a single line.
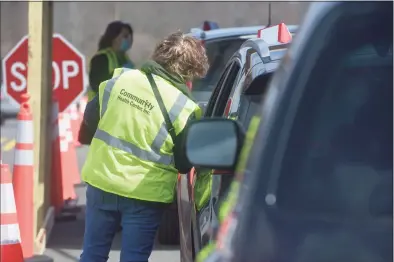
[(23, 176)]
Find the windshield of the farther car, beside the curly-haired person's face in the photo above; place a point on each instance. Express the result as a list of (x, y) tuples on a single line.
[(218, 52)]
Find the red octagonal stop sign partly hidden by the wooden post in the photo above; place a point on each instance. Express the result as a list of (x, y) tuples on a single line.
[(68, 72)]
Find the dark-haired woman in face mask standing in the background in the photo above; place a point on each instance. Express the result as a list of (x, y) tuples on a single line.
[(112, 53)]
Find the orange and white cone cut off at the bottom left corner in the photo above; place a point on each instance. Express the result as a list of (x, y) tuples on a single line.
[(11, 249)]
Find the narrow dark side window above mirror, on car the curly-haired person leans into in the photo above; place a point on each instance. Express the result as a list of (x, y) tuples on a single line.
[(222, 103)]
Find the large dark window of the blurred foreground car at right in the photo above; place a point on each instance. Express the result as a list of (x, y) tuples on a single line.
[(339, 156)]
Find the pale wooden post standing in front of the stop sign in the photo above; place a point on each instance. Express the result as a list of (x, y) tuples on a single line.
[(39, 82)]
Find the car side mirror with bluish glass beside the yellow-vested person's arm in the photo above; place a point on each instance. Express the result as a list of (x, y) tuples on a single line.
[(214, 143)]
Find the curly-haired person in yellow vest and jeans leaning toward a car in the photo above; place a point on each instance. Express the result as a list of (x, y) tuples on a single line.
[(135, 155)]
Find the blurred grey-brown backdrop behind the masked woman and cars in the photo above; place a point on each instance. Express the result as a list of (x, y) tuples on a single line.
[(82, 23)]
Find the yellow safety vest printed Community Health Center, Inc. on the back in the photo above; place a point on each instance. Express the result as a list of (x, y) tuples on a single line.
[(131, 152)]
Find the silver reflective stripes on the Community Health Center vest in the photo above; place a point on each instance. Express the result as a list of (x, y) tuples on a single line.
[(155, 155)]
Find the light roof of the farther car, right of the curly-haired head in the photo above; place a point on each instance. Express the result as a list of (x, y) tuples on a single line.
[(231, 32)]
